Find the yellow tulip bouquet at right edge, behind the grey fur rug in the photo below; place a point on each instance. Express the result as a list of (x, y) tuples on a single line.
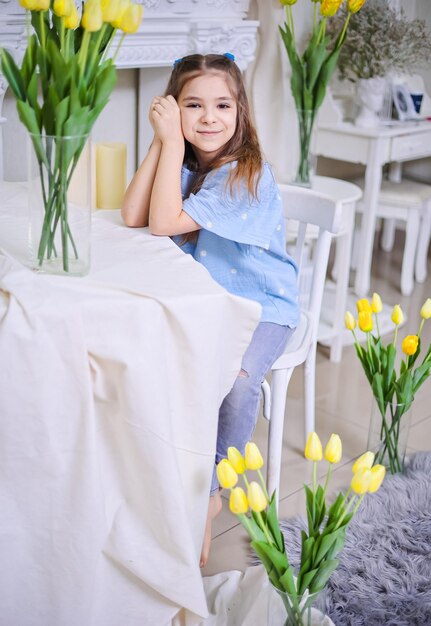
[(394, 393)]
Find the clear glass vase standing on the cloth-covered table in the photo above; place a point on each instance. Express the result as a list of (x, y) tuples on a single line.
[(59, 195)]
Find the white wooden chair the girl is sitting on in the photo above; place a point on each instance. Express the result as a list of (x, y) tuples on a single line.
[(322, 215)]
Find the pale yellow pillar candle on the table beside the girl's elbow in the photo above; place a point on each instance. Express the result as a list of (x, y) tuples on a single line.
[(111, 161)]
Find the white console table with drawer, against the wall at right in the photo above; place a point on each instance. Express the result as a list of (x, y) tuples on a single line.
[(372, 147)]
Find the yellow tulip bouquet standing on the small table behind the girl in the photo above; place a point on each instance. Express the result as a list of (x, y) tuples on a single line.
[(312, 70)]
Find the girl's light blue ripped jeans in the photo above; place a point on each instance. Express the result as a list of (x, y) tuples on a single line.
[(240, 409)]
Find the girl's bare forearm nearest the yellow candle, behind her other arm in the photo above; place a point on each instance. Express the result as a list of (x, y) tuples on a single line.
[(135, 207)]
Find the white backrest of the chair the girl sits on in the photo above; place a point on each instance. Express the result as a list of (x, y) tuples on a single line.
[(320, 214)]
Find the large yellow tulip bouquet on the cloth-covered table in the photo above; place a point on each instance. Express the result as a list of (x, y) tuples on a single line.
[(64, 82)]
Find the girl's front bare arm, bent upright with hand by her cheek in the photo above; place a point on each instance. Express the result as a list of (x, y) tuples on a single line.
[(166, 216)]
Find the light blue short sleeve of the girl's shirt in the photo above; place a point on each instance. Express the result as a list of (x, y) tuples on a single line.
[(238, 216)]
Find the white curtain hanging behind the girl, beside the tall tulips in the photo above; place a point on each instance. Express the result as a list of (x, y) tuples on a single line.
[(268, 83)]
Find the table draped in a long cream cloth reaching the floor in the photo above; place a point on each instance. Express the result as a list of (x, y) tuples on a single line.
[(109, 397)]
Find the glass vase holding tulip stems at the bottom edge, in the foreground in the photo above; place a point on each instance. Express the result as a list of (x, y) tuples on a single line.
[(287, 610)]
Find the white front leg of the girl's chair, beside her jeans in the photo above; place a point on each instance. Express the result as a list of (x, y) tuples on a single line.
[(279, 384)]
